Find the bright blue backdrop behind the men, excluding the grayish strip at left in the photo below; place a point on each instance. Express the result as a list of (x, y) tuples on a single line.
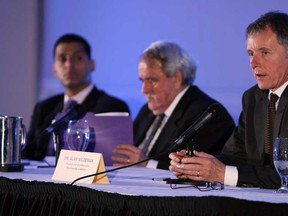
[(213, 32)]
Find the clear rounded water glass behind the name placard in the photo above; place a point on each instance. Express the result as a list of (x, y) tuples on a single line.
[(78, 135)]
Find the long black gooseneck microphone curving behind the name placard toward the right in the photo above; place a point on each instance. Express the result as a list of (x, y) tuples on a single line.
[(207, 116)]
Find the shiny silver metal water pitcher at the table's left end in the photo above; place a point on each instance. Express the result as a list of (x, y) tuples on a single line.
[(12, 141)]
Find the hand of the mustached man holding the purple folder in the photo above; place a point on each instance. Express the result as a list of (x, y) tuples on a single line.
[(128, 154)]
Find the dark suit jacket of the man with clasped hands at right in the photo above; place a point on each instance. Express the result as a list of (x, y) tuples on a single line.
[(245, 148)]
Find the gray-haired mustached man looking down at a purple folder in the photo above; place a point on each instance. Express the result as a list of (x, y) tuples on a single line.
[(167, 73)]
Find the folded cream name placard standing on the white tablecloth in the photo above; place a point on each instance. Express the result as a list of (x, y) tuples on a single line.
[(74, 164)]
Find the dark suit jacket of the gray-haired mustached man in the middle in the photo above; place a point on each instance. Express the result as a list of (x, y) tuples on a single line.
[(194, 102)]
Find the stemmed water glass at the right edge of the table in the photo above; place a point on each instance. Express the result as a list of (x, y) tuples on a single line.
[(280, 156)]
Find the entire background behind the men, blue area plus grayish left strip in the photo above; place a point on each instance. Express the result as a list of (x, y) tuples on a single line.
[(119, 30)]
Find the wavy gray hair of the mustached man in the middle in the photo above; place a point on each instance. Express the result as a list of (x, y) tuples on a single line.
[(173, 58)]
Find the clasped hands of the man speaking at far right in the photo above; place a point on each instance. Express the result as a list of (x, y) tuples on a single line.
[(201, 167)]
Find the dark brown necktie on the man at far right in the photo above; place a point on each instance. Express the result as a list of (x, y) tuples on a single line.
[(269, 127)]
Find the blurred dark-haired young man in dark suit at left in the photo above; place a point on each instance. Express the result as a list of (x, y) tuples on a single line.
[(73, 66)]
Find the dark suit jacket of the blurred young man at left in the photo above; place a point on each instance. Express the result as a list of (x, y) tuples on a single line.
[(97, 101)]
